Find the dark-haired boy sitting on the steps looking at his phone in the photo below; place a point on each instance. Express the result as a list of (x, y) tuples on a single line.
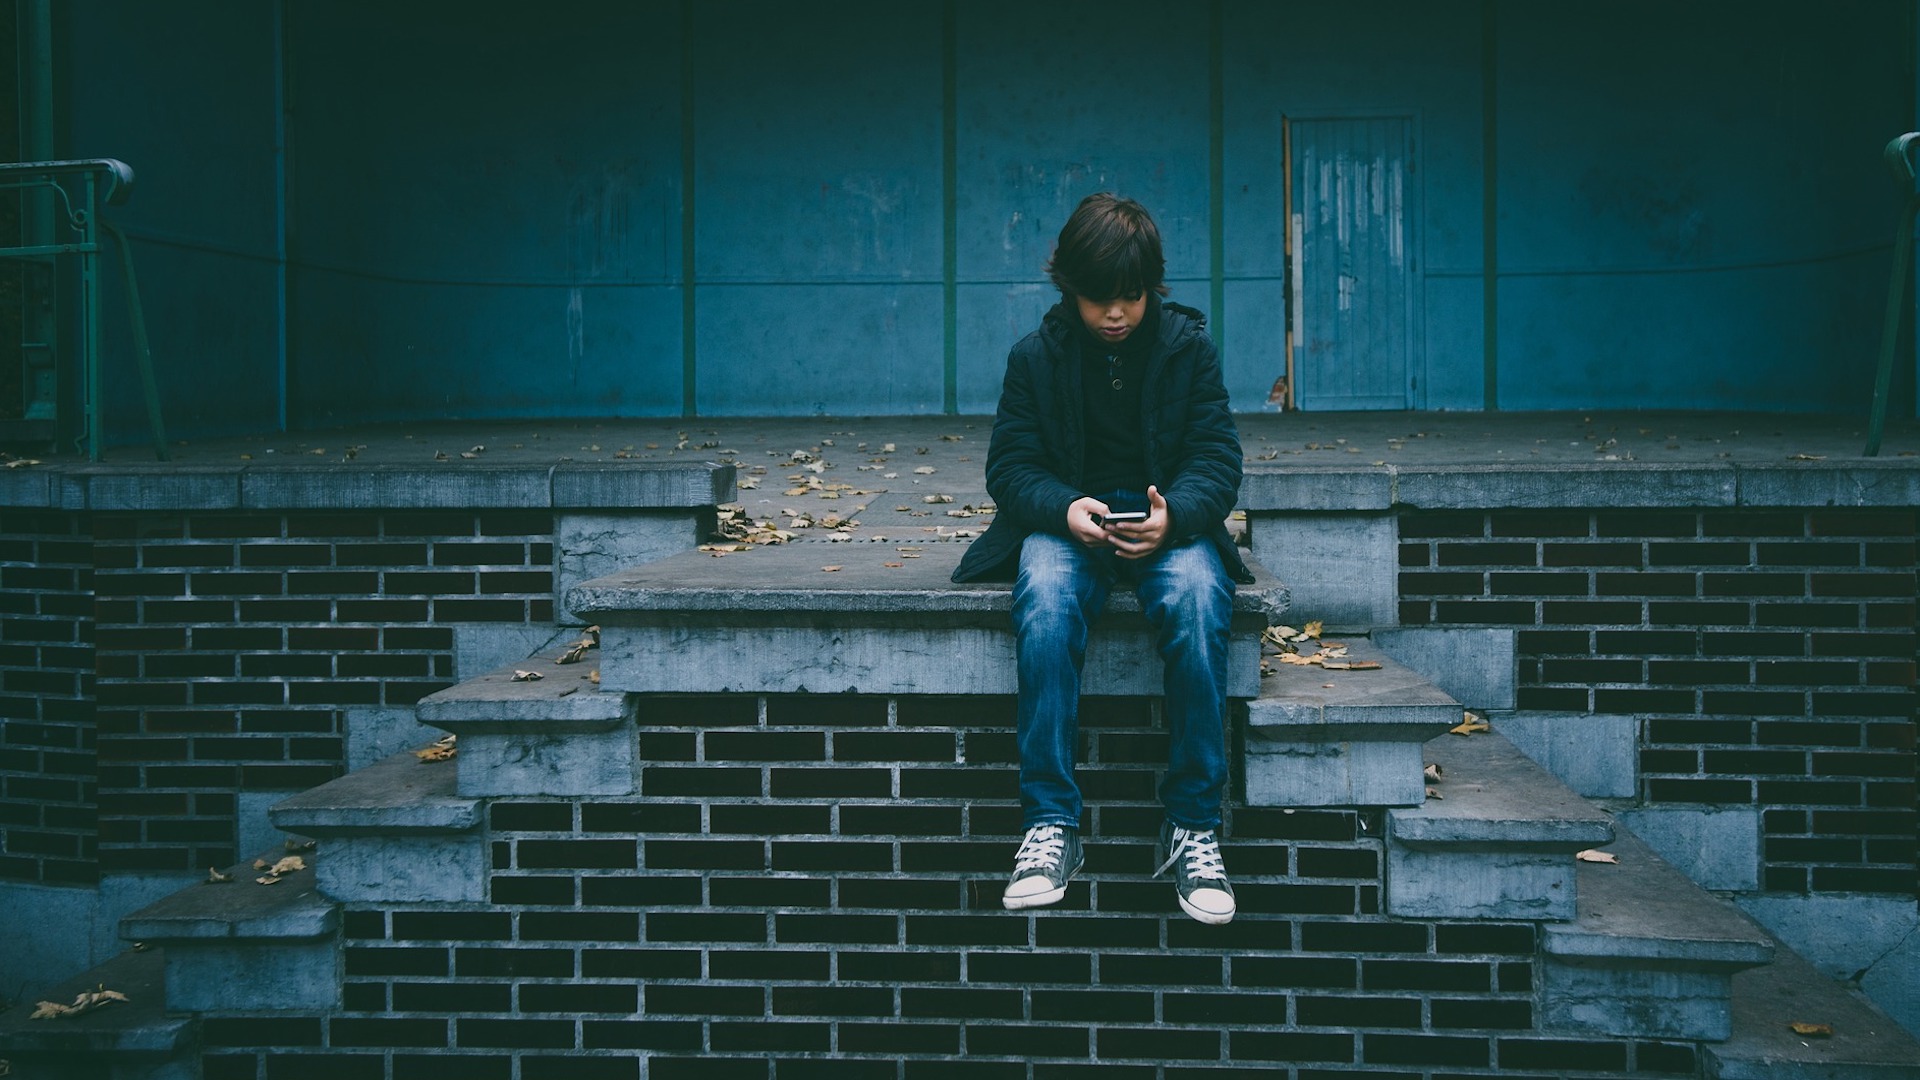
[(1115, 460)]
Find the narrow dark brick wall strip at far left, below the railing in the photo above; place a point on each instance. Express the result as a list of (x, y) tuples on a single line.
[(47, 700)]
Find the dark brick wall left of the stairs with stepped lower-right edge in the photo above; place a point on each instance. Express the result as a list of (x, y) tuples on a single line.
[(233, 645)]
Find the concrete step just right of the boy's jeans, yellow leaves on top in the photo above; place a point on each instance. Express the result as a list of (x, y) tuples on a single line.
[(1326, 739)]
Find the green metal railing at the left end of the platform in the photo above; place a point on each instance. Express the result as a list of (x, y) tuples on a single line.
[(64, 220)]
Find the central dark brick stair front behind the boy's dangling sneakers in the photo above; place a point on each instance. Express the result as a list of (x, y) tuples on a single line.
[(821, 875)]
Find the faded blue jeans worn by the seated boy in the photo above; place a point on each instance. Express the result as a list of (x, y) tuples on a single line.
[(1188, 599)]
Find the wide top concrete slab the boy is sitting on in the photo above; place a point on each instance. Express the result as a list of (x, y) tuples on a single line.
[(863, 618)]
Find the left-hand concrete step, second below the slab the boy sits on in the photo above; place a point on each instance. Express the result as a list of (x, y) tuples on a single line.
[(393, 833)]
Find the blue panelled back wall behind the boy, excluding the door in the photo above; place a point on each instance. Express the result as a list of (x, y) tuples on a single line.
[(492, 210)]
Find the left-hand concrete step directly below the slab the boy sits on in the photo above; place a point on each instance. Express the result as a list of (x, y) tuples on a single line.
[(558, 735)]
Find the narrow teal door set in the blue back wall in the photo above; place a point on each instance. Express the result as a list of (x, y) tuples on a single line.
[(1353, 276)]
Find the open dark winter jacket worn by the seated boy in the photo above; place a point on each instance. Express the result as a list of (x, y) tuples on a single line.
[(1036, 462)]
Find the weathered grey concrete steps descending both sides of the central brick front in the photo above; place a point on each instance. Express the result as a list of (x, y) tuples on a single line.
[(1625, 950)]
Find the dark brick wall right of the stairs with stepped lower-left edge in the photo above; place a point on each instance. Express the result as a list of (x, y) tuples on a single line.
[(1771, 656)]
